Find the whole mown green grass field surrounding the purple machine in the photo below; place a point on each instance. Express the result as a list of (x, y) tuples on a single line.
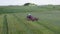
[(16, 23)]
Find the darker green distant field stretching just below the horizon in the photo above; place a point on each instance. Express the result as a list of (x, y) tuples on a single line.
[(17, 9)]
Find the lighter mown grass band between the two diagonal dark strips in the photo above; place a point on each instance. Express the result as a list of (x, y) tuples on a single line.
[(35, 28)]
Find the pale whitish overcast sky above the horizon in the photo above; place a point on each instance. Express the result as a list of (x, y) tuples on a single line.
[(21, 2)]
